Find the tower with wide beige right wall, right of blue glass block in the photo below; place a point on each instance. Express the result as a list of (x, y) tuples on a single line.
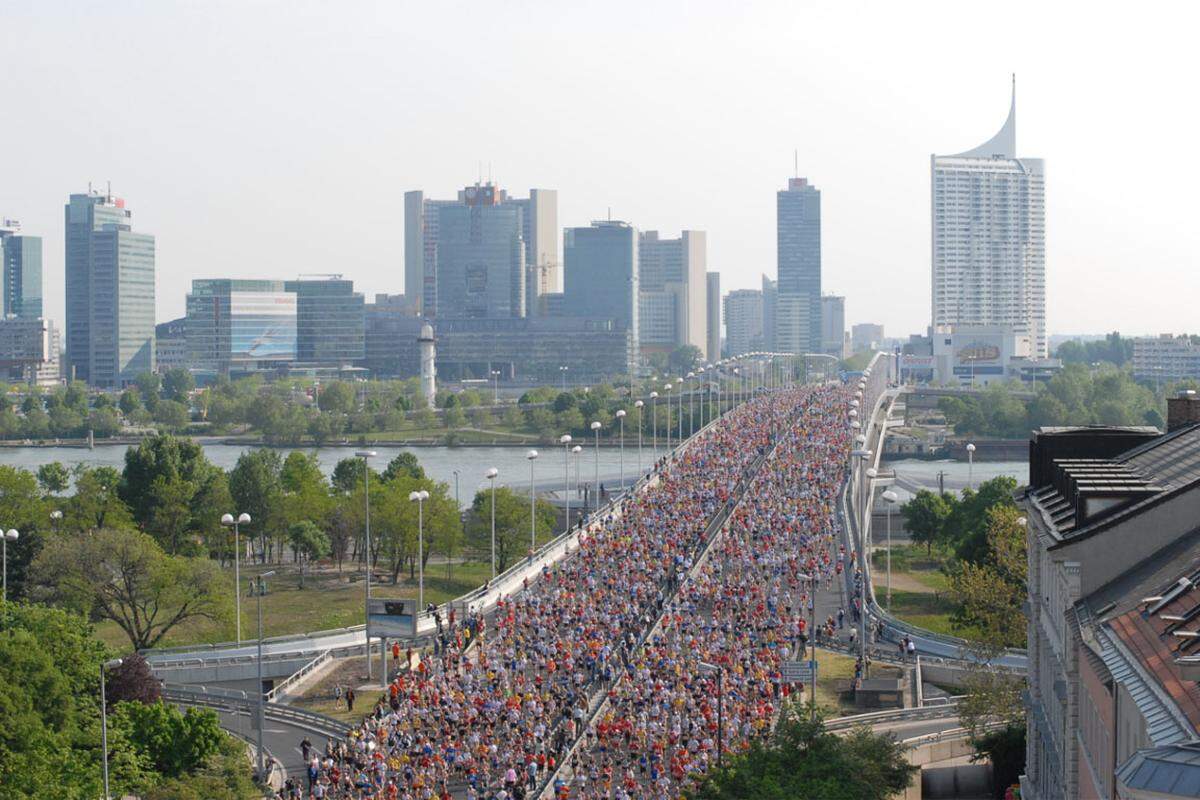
[(671, 272)]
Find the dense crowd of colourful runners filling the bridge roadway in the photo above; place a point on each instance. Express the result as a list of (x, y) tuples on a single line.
[(644, 621)]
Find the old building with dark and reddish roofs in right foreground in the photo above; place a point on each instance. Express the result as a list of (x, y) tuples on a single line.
[(1114, 611)]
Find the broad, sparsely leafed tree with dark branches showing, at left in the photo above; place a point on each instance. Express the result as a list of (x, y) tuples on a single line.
[(124, 576)]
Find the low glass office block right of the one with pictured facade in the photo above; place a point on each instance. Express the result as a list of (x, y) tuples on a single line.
[(331, 322)]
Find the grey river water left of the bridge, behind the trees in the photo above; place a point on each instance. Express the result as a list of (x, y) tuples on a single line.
[(439, 462)]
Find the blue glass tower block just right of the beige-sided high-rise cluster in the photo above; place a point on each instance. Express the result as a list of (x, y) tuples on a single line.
[(602, 274)]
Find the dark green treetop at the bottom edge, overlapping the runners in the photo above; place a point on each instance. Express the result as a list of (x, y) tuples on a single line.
[(806, 762)]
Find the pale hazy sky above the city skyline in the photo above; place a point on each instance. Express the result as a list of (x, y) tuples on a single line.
[(269, 140)]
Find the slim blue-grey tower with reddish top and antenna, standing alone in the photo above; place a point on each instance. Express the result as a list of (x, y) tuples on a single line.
[(799, 243)]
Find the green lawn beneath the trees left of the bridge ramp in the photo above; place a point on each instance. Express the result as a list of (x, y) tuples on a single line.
[(328, 600)]
